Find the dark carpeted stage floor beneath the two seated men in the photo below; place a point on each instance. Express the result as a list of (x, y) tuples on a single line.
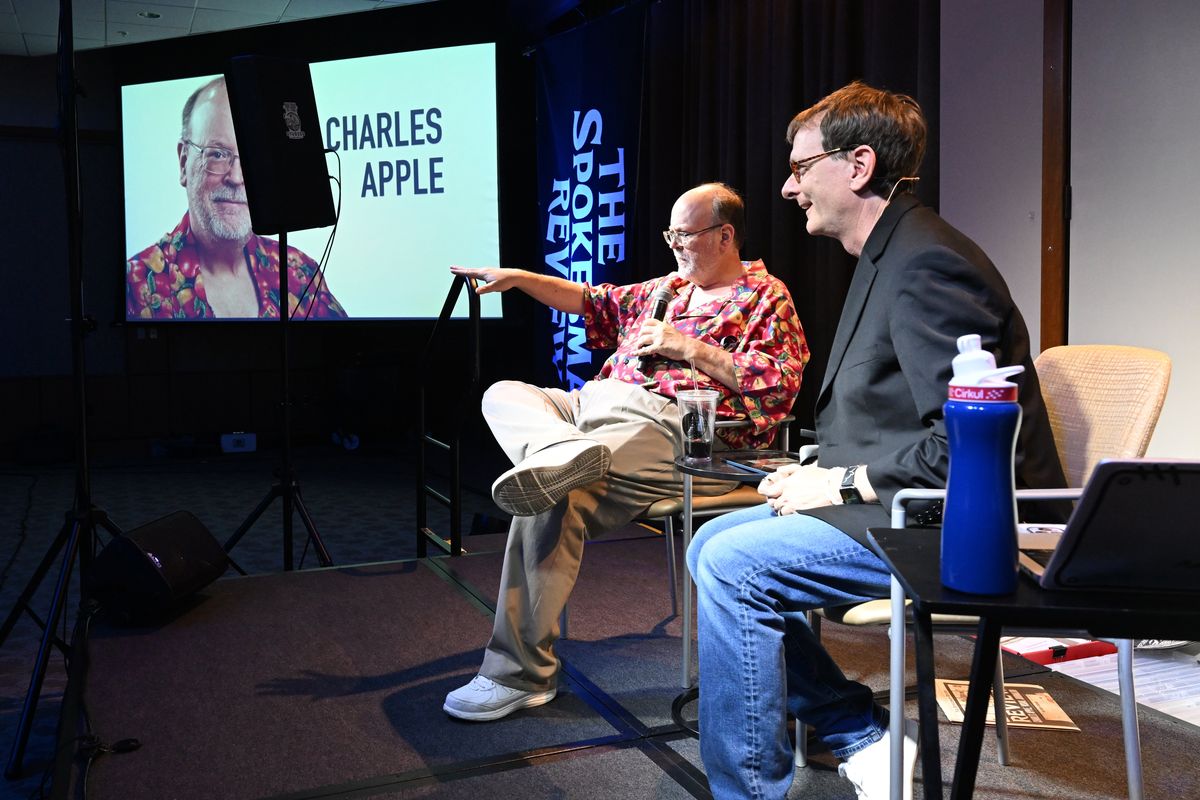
[(329, 684)]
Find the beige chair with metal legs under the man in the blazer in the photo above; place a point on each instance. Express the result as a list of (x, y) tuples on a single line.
[(1103, 402)]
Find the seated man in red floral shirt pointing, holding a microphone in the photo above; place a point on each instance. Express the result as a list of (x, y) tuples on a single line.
[(592, 460)]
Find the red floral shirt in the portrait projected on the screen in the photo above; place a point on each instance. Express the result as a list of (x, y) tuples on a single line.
[(165, 281)]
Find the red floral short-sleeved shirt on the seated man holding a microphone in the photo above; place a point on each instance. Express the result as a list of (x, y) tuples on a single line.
[(757, 323)]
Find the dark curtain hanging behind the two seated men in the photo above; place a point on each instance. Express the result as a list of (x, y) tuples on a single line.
[(723, 80)]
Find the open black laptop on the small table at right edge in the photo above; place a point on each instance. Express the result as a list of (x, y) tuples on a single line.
[(1136, 528)]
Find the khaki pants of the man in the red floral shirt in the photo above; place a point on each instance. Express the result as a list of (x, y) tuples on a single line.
[(542, 560)]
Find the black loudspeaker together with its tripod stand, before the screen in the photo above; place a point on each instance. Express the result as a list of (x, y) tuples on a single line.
[(287, 189)]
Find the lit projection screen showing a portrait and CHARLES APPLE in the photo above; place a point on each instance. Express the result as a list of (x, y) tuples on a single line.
[(411, 146)]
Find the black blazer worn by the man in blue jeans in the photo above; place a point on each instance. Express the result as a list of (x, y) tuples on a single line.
[(920, 285)]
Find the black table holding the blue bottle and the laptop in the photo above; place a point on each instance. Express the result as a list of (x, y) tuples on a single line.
[(915, 560)]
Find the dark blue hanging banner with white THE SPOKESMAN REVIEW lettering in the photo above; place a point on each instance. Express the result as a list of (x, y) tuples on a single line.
[(590, 83)]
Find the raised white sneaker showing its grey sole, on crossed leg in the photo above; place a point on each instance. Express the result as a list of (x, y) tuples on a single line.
[(543, 479)]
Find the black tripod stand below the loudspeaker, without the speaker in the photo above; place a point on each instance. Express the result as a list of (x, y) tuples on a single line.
[(286, 488)]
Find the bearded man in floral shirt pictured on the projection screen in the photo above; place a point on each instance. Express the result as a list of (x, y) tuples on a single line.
[(213, 266)]
